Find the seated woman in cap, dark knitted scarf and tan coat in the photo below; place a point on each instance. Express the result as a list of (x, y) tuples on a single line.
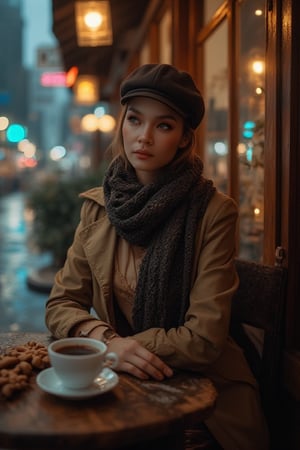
[(153, 257)]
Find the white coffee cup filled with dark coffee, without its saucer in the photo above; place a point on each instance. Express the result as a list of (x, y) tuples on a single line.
[(77, 361)]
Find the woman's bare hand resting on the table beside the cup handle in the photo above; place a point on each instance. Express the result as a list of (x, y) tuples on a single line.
[(137, 360)]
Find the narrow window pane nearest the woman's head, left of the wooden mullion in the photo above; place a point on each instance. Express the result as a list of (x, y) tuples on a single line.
[(216, 100)]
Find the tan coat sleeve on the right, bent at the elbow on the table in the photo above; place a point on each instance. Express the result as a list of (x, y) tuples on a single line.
[(200, 341)]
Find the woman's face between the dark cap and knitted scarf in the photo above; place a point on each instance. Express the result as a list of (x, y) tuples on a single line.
[(152, 134)]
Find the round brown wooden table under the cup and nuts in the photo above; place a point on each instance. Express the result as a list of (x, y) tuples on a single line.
[(135, 414)]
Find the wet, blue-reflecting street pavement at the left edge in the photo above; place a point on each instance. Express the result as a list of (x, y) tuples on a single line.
[(21, 308)]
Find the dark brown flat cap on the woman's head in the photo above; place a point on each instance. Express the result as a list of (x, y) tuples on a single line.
[(165, 83)]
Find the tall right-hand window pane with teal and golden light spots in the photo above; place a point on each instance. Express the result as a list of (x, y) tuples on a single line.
[(251, 128)]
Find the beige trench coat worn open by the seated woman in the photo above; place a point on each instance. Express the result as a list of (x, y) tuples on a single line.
[(202, 343)]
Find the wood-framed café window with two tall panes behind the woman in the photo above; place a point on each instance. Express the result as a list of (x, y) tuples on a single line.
[(232, 70)]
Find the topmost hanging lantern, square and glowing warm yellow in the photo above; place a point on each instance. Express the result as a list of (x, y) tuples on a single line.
[(93, 23)]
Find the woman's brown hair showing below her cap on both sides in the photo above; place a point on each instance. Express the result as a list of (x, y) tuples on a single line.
[(186, 153)]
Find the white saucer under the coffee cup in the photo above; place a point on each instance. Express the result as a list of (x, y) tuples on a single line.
[(48, 381)]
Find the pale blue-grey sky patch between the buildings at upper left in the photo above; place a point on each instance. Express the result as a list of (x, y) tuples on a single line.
[(37, 16)]
